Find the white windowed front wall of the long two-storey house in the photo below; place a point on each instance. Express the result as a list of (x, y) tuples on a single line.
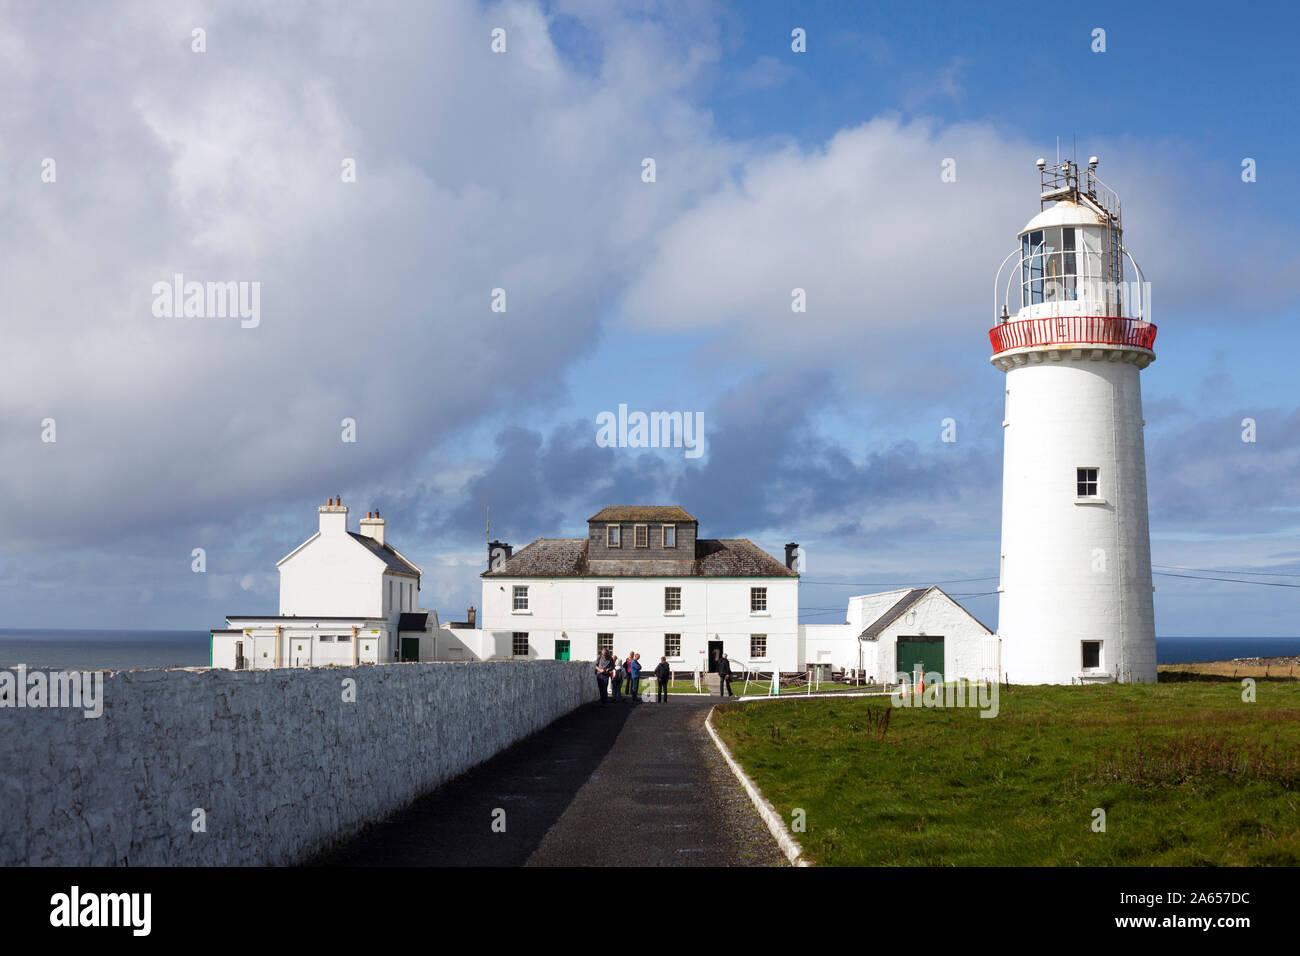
[(713, 609)]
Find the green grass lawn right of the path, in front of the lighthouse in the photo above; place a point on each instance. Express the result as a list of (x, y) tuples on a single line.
[(1188, 775)]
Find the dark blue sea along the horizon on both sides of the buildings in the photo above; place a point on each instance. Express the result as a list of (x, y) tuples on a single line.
[(127, 650)]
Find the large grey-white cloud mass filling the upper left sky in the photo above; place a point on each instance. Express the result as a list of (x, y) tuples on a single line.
[(475, 172)]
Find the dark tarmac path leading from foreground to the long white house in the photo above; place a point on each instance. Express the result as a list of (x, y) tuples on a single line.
[(573, 791)]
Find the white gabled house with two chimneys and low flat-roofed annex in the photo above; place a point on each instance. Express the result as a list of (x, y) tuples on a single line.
[(346, 598)]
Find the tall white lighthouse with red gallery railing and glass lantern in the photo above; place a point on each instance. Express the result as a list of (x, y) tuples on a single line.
[(1076, 586)]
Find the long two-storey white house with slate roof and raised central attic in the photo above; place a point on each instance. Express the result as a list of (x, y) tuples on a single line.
[(643, 579)]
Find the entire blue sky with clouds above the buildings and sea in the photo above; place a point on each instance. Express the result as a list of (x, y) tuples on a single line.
[(774, 170)]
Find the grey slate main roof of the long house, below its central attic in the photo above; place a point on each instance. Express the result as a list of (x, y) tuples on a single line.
[(566, 557)]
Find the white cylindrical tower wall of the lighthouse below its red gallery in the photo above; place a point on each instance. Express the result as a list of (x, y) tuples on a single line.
[(1076, 572)]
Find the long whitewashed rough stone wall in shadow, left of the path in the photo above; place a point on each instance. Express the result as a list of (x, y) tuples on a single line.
[(281, 763)]
